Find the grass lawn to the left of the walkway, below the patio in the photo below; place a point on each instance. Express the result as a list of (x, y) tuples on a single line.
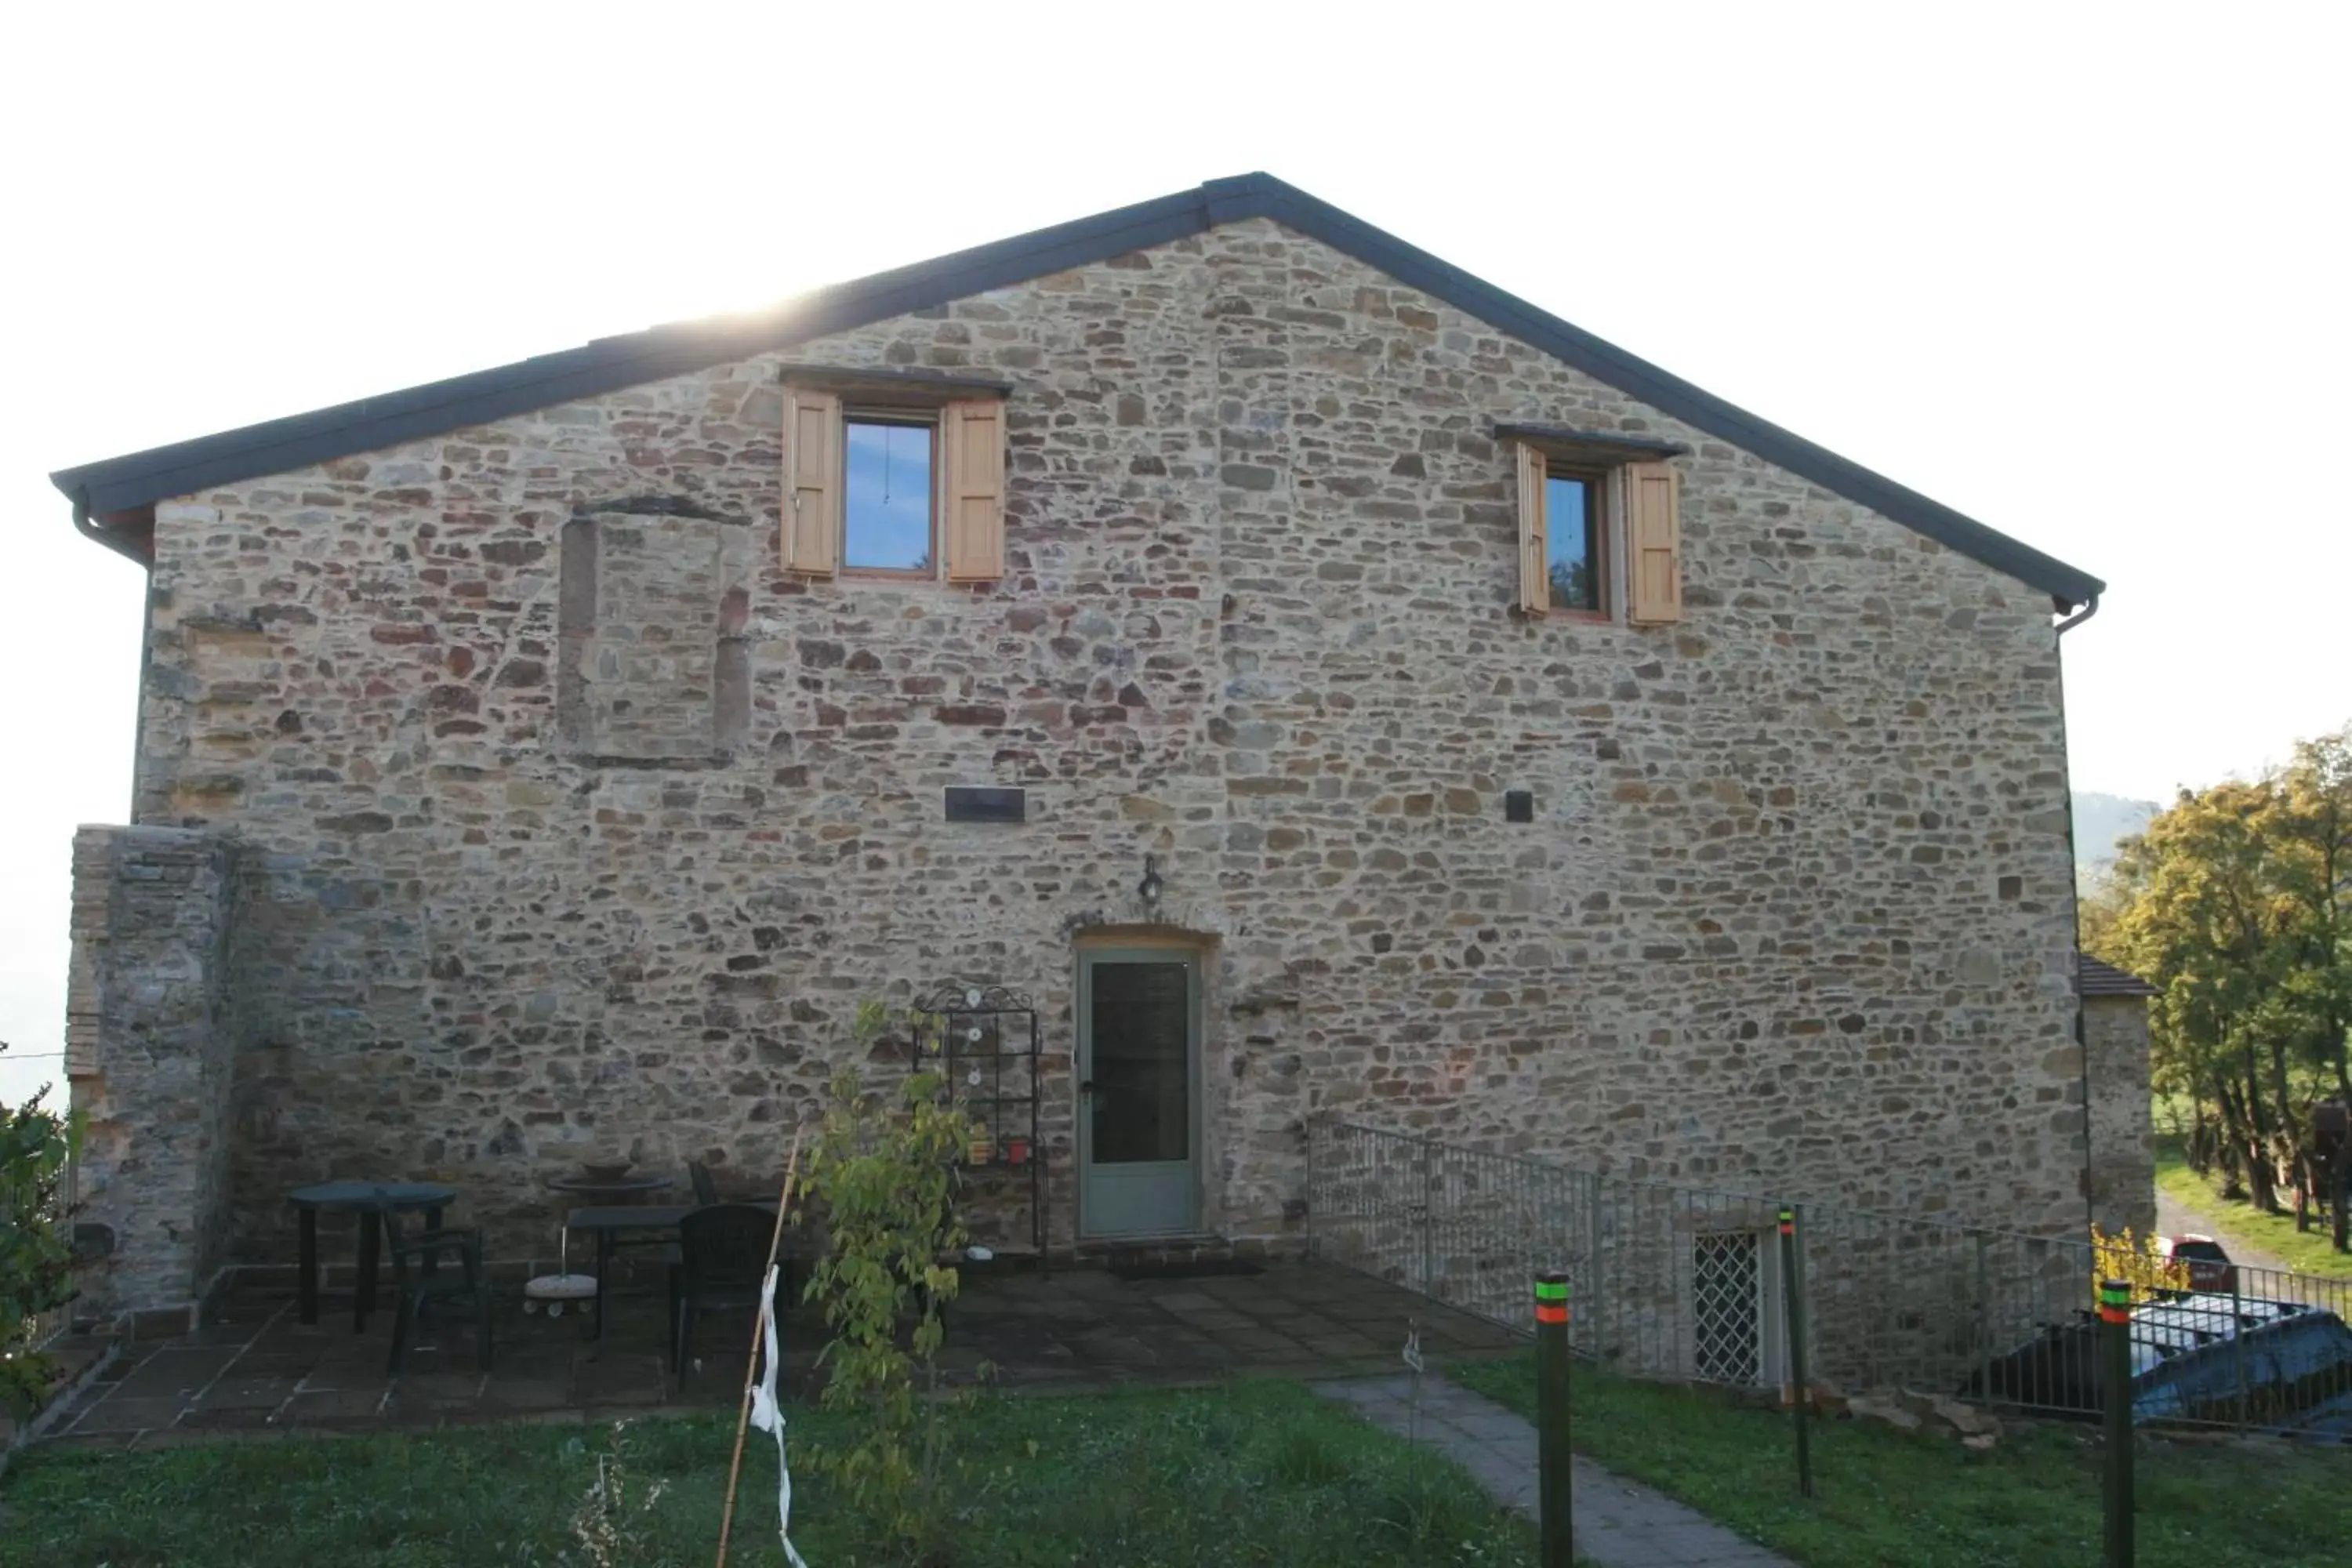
[(1259, 1473)]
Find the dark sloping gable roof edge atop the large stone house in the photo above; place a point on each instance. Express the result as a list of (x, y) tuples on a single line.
[(606, 366)]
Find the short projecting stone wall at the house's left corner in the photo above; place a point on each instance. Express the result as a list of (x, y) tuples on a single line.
[(152, 1066)]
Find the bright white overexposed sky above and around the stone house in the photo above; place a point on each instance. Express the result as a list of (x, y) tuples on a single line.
[(2073, 269)]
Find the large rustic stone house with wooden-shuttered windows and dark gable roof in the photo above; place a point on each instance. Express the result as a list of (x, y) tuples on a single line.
[(1516, 742)]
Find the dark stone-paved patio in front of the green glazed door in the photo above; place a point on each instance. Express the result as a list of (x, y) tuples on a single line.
[(262, 1374)]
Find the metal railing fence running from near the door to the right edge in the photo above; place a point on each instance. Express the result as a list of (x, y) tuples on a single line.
[(1688, 1285)]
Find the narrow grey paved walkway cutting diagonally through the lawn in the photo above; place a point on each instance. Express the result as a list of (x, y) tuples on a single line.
[(1619, 1525)]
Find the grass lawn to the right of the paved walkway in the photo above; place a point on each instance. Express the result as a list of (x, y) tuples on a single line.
[(1927, 1503)]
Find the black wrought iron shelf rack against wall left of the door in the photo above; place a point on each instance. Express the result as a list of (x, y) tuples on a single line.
[(984, 1043)]
